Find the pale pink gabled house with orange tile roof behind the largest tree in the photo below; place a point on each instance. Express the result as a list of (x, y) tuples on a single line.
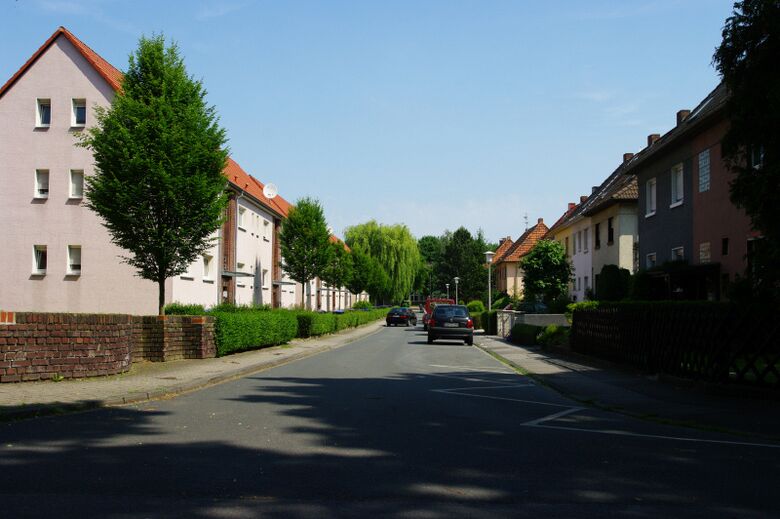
[(56, 255)]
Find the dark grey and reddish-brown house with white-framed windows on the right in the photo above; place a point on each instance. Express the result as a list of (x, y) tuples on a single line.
[(685, 214)]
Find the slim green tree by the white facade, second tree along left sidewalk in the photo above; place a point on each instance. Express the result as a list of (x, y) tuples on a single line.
[(304, 240)]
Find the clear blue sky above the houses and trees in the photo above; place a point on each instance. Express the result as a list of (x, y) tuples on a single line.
[(432, 113)]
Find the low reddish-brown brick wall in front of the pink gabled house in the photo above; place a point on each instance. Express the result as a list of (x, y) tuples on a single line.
[(40, 346)]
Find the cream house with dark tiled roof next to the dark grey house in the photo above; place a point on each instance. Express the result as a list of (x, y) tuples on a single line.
[(600, 230)]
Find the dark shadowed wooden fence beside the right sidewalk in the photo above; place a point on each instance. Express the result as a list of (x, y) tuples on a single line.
[(714, 343)]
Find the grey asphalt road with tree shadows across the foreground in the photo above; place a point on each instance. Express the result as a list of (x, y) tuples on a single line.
[(386, 426)]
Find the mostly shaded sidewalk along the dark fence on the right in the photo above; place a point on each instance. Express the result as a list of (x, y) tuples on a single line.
[(615, 388)]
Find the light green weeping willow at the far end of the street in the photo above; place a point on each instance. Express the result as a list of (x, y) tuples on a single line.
[(395, 251)]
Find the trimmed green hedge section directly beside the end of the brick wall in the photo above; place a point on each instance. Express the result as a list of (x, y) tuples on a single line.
[(243, 330)]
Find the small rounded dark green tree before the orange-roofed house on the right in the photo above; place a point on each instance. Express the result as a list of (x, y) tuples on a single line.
[(547, 272)]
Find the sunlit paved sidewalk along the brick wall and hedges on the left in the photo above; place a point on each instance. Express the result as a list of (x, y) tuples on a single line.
[(150, 380)]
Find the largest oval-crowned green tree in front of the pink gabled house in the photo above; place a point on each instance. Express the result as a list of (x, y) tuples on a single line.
[(159, 154)]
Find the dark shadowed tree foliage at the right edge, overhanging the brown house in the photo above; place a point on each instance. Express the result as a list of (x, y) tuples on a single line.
[(748, 60)]
